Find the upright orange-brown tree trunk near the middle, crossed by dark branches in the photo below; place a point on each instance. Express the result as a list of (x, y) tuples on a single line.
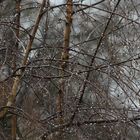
[(64, 63)]
